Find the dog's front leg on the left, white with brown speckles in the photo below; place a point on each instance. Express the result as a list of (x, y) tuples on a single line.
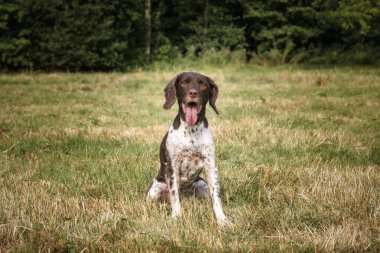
[(173, 183)]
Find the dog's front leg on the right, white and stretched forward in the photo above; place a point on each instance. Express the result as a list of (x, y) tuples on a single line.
[(211, 173)]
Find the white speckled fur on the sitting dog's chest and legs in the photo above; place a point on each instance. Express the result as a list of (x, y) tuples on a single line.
[(184, 146)]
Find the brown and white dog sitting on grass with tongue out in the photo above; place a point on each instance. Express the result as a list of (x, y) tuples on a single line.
[(188, 147)]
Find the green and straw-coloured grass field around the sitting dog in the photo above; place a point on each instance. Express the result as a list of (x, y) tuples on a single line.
[(298, 150)]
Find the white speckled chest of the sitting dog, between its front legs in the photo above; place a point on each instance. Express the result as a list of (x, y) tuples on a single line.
[(189, 149)]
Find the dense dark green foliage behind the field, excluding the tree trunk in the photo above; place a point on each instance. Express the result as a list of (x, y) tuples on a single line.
[(109, 35)]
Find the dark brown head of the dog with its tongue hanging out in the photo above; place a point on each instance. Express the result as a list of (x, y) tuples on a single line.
[(193, 91)]
